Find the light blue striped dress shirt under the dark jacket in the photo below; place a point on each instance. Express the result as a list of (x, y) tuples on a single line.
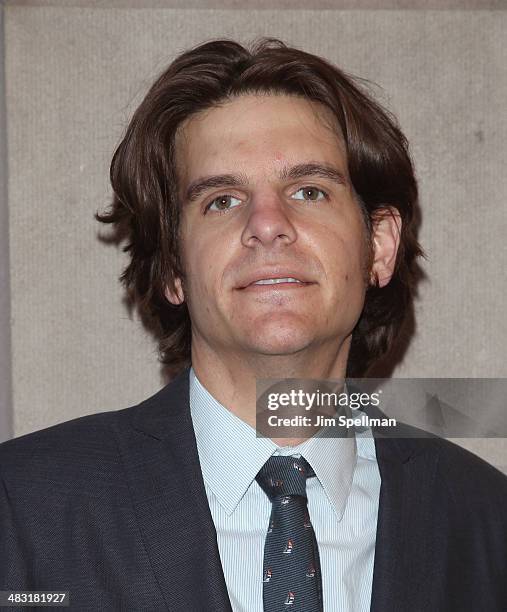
[(342, 503)]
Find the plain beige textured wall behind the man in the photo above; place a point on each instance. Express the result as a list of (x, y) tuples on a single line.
[(74, 73)]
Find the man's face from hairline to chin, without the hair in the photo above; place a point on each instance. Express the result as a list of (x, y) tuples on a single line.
[(275, 219)]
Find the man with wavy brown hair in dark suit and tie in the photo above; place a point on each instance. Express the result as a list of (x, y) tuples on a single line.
[(269, 206)]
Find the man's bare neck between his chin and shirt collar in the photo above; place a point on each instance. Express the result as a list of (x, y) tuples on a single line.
[(231, 378)]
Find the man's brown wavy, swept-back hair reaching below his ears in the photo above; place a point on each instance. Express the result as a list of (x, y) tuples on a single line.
[(145, 210)]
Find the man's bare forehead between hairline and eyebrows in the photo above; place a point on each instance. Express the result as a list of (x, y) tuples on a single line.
[(259, 130)]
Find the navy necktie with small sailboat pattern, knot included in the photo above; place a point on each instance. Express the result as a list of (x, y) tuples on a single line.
[(291, 577)]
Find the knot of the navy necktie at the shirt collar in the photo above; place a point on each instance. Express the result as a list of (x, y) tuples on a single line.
[(281, 476)]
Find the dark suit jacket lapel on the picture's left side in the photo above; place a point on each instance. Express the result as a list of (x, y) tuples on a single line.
[(158, 447)]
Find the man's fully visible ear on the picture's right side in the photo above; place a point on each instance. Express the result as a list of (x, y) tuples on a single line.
[(386, 240)]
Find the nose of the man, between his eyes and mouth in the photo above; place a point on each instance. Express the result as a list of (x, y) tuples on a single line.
[(268, 223)]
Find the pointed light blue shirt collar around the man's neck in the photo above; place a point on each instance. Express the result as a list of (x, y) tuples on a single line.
[(231, 454)]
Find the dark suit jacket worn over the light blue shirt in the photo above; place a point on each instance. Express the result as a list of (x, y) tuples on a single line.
[(112, 508)]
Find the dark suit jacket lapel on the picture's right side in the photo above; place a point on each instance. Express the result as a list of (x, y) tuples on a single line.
[(405, 543)]
